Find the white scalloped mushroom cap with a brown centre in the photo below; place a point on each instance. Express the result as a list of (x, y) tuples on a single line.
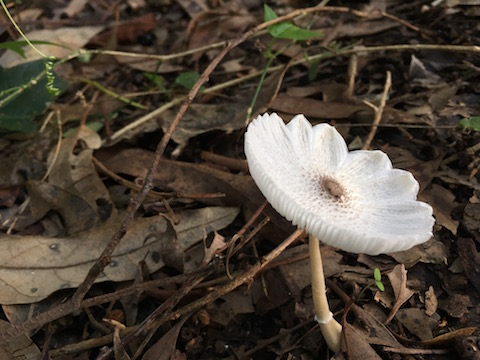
[(354, 201)]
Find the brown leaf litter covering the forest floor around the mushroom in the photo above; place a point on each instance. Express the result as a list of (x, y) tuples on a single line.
[(189, 272)]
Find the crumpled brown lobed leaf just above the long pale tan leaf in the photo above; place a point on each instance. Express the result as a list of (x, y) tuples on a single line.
[(74, 188)]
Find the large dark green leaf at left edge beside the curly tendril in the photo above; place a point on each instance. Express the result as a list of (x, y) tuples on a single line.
[(19, 113)]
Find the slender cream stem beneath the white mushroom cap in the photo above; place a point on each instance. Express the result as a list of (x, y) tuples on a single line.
[(331, 329)]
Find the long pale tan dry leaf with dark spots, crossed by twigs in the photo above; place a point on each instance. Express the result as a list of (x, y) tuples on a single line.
[(64, 263)]
